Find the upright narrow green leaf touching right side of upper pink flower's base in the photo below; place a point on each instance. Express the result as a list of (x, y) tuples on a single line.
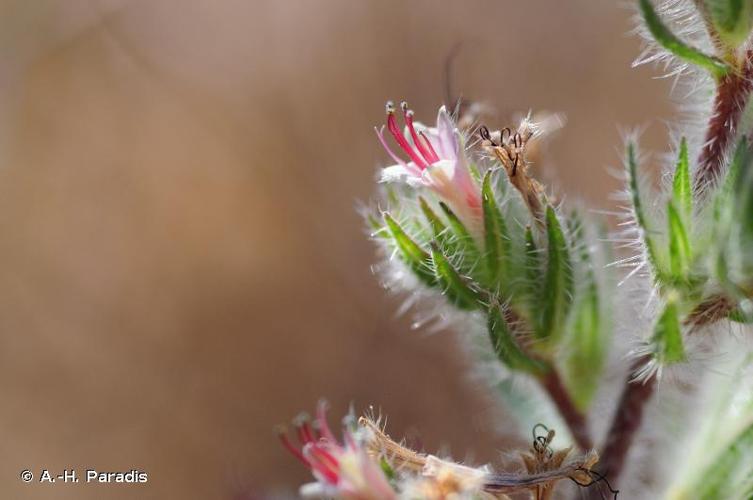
[(497, 239)]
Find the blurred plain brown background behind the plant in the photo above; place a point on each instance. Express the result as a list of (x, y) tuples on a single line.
[(182, 264)]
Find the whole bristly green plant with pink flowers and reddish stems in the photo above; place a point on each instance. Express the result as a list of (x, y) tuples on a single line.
[(550, 298)]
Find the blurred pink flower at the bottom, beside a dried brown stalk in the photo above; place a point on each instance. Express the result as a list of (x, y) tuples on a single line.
[(343, 471)]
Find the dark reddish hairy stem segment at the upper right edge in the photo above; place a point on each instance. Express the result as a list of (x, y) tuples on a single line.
[(732, 93)]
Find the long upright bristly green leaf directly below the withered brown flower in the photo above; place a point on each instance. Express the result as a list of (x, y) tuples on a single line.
[(558, 280)]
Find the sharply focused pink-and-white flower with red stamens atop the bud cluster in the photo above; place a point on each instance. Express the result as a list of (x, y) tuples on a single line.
[(437, 161)]
